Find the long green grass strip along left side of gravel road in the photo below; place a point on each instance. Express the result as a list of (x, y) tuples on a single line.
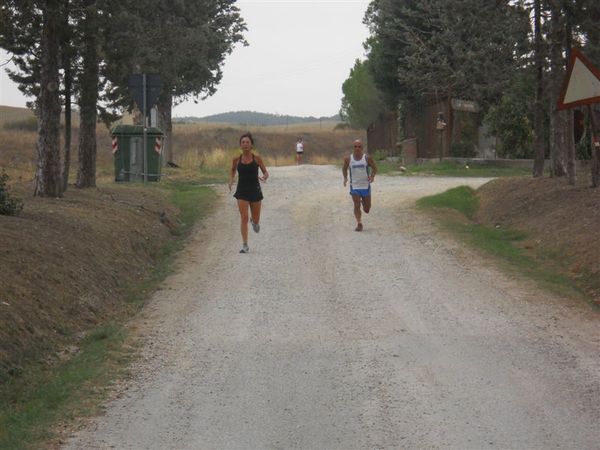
[(46, 395)]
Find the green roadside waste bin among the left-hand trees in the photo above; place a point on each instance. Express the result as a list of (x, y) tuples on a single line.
[(128, 152)]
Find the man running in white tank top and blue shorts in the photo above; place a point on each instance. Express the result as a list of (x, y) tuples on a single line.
[(362, 174)]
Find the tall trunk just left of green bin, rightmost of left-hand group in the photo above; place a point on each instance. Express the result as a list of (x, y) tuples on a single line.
[(86, 173)]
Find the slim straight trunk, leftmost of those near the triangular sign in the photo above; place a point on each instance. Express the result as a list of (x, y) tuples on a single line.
[(538, 111)]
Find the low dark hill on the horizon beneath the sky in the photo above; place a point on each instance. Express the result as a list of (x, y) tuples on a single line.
[(254, 118)]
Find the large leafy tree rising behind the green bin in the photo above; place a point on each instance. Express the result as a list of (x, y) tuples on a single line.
[(185, 42)]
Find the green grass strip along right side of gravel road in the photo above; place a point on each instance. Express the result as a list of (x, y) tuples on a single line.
[(504, 244)]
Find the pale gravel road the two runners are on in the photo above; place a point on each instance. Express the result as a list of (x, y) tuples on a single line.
[(322, 337)]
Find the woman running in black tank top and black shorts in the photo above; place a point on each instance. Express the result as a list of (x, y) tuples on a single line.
[(248, 192)]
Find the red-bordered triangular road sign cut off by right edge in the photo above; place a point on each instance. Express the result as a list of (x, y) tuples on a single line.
[(582, 83)]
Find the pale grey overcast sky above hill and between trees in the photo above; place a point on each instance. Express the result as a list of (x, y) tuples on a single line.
[(299, 54)]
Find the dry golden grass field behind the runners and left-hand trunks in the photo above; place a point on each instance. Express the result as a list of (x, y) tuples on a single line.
[(195, 146)]
